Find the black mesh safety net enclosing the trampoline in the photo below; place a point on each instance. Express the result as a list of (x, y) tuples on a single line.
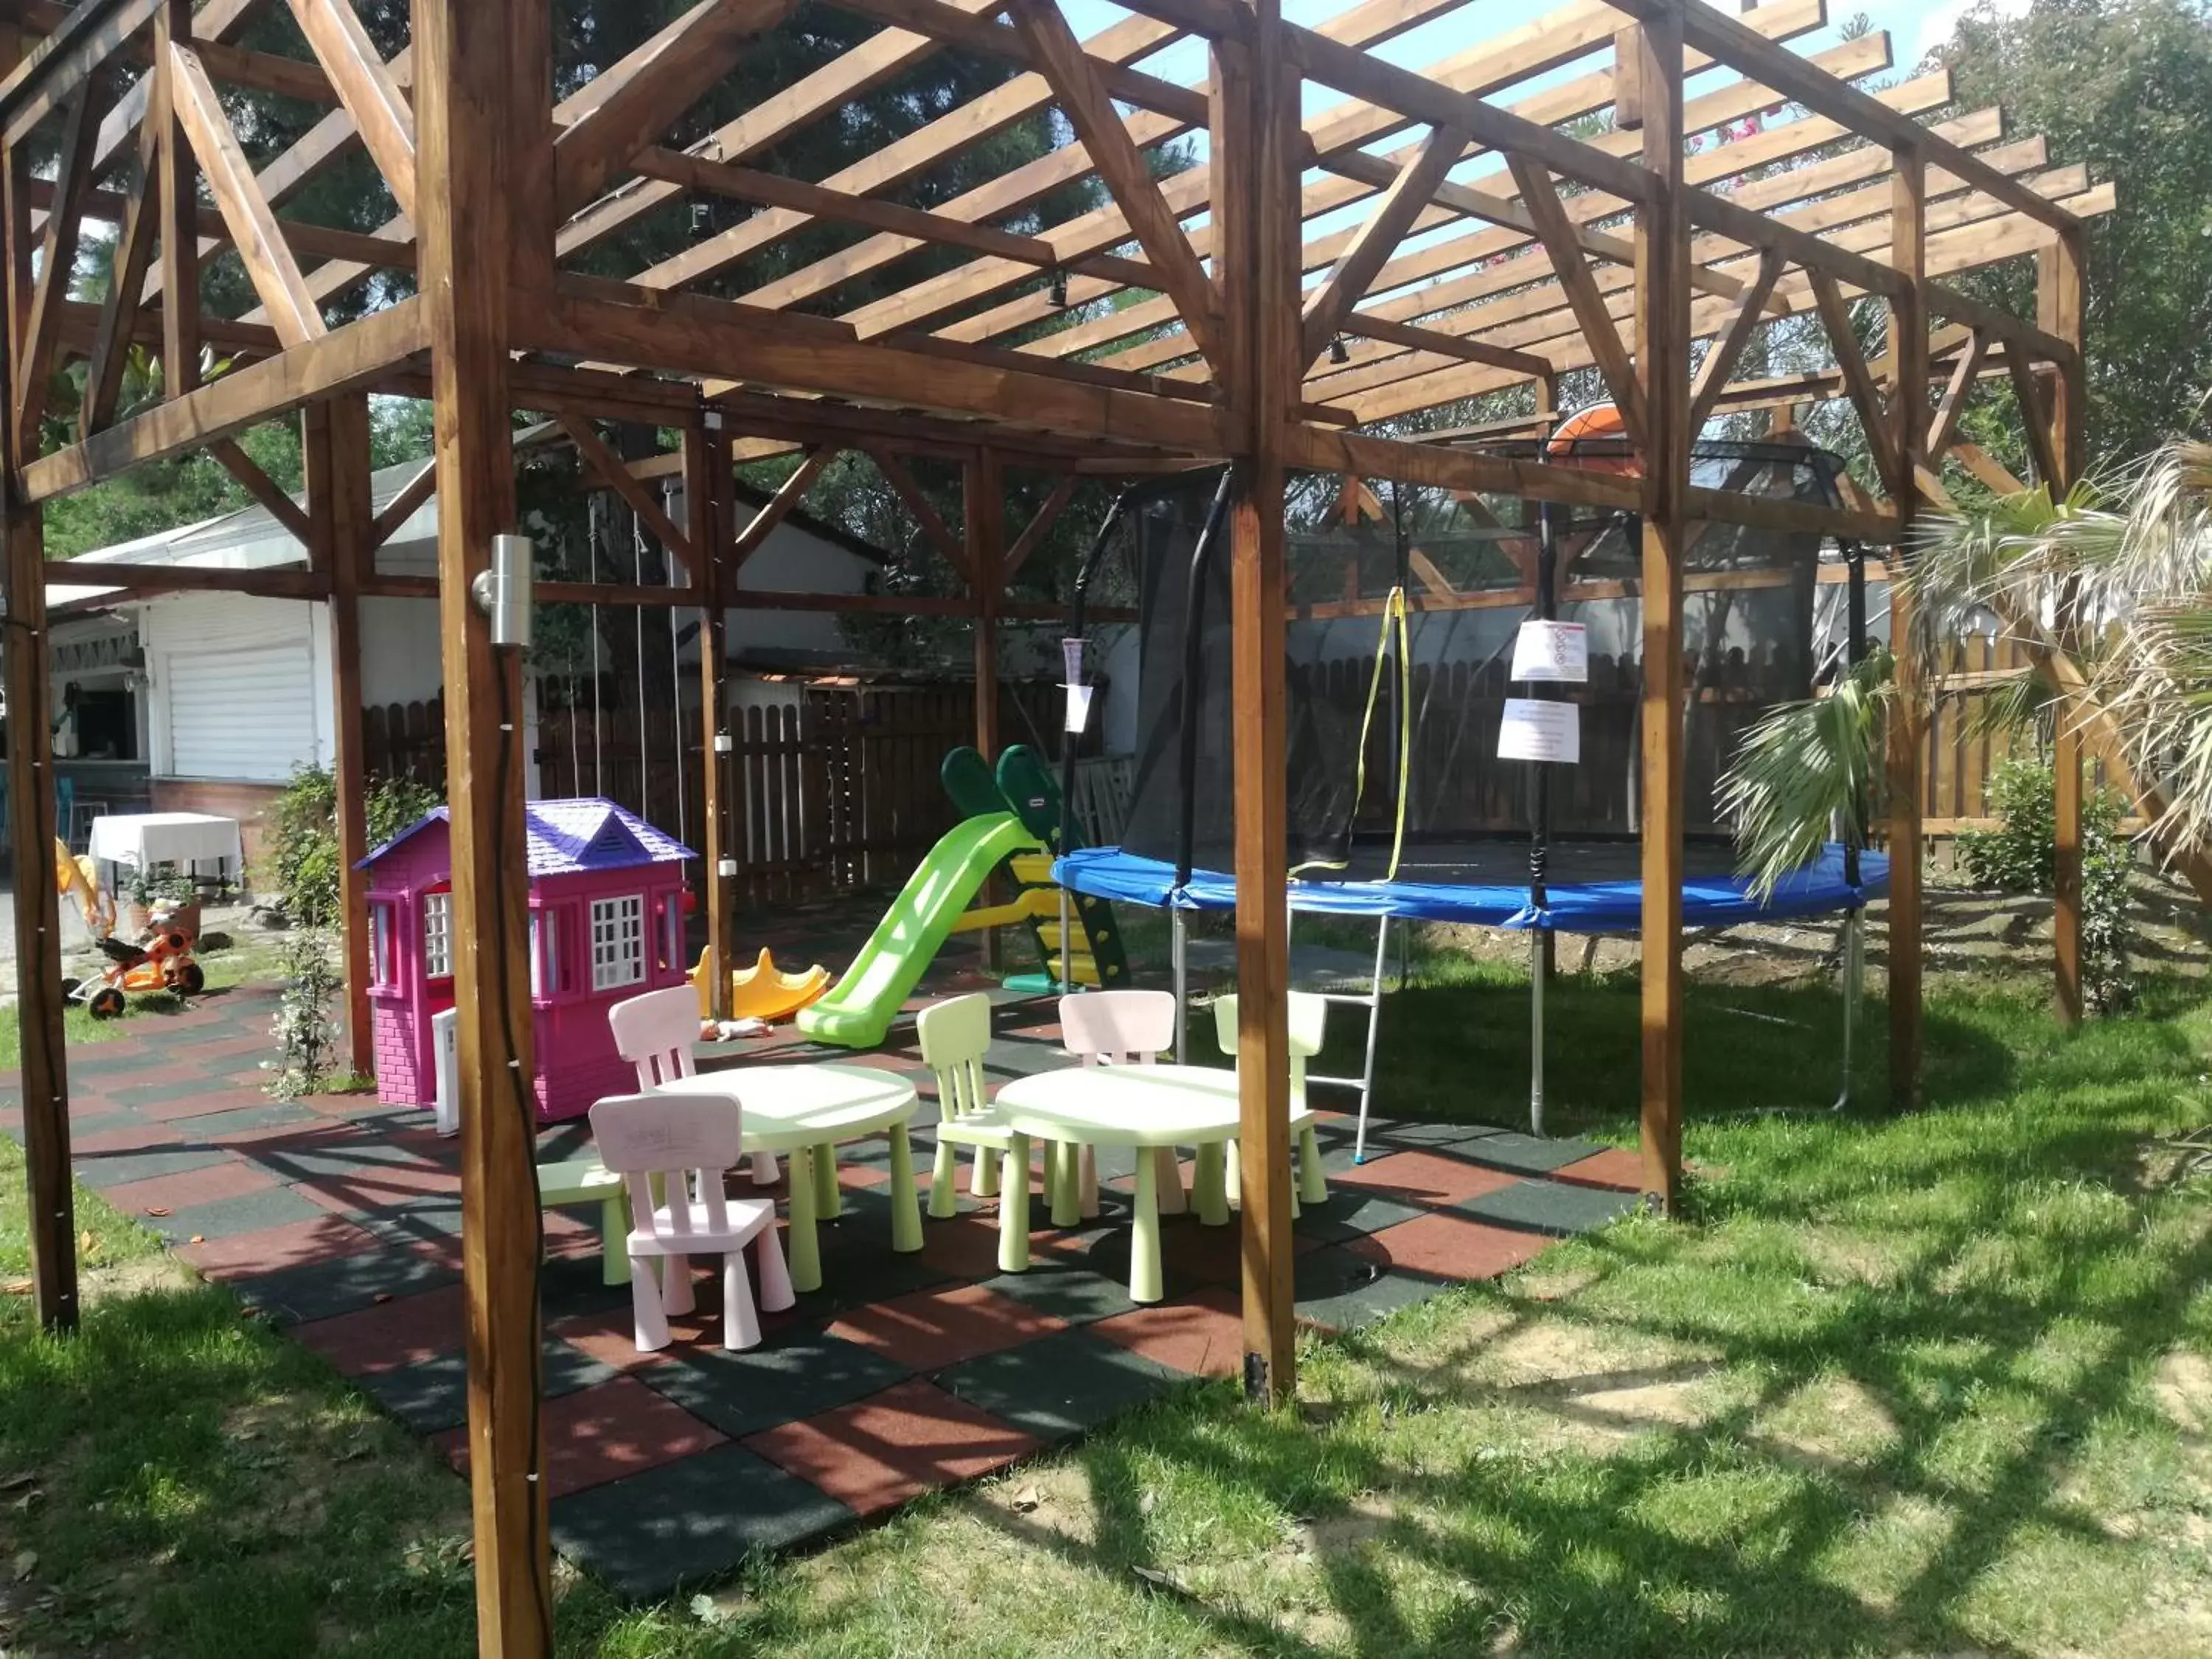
[(1760, 625)]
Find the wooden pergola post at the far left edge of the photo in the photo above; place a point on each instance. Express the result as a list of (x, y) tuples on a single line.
[(32, 811)]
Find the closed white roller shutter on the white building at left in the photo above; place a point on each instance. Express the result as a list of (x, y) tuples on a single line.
[(240, 696)]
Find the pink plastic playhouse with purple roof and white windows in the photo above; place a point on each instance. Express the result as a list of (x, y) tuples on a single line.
[(607, 924)]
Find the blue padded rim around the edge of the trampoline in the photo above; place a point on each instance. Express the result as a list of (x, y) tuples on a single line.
[(1592, 886)]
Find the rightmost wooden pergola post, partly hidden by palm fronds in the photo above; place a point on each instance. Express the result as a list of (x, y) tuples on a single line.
[(2058, 304)]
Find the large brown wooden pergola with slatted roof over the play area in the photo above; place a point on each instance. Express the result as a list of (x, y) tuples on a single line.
[(1488, 236)]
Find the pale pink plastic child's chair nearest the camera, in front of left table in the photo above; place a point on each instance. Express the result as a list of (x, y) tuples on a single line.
[(680, 1145)]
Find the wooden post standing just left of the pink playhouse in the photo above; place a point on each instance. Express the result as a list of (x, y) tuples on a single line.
[(342, 512)]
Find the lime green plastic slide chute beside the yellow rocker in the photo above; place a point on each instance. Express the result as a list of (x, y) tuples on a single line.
[(859, 1010)]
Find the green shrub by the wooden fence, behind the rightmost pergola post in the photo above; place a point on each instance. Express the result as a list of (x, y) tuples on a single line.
[(2021, 857)]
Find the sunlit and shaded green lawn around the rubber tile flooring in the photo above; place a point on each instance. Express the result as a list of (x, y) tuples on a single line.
[(1897, 1386)]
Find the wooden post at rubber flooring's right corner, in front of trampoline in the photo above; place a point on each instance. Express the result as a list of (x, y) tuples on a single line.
[(1662, 371)]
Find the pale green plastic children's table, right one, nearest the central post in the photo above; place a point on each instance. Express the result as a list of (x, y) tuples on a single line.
[(1142, 1107)]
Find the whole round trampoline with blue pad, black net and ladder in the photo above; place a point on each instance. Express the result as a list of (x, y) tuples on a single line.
[(1404, 612)]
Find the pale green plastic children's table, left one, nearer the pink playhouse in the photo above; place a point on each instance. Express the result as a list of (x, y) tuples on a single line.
[(802, 1114)]
